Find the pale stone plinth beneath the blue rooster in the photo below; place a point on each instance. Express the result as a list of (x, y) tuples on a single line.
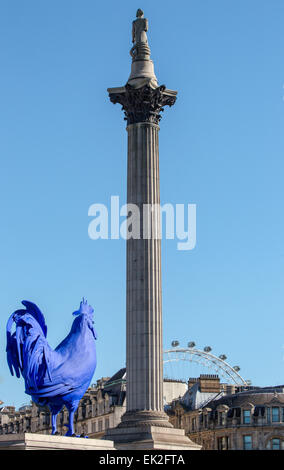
[(29, 441)]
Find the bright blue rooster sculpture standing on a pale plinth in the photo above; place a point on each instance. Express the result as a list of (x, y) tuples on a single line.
[(53, 377)]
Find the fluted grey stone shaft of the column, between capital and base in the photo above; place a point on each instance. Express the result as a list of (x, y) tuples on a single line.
[(144, 361)]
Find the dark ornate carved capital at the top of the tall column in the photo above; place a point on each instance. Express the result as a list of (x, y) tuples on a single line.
[(143, 104)]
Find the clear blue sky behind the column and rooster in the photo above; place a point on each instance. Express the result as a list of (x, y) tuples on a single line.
[(63, 148)]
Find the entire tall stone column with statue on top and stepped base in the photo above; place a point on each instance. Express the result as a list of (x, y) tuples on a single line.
[(145, 425)]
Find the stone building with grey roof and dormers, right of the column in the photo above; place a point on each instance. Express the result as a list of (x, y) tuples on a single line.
[(247, 419)]
